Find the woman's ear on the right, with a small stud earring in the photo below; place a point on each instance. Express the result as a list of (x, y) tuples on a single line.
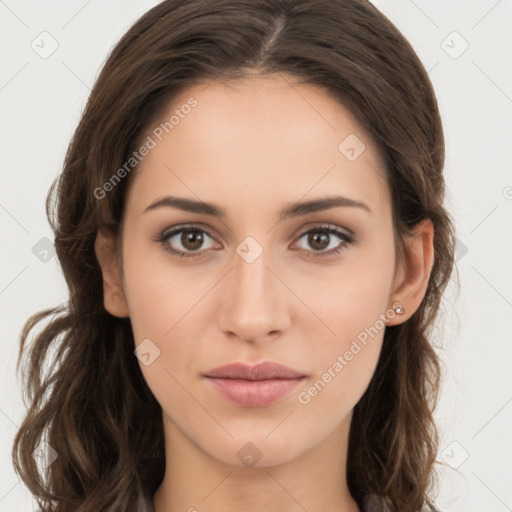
[(411, 279)]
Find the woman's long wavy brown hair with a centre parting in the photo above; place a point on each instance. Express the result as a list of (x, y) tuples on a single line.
[(92, 406)]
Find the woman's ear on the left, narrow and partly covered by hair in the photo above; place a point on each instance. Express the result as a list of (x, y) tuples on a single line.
[(113, 294)]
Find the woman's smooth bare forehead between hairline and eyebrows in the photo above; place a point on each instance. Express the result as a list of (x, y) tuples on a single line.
[(250, 141)]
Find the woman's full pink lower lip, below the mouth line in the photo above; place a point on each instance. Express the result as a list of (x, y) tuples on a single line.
[(254, 393)]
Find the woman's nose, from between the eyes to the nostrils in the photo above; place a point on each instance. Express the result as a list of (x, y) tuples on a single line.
[(255, 304)]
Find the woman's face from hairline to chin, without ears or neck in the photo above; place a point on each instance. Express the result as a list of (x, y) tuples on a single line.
[(310, 290)]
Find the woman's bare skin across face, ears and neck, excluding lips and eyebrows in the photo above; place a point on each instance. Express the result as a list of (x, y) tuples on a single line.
[(253, 147)]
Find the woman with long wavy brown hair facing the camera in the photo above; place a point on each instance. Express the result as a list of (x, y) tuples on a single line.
[(250, 221)]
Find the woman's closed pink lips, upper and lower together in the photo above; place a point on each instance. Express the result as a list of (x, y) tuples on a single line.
[(254, 386)]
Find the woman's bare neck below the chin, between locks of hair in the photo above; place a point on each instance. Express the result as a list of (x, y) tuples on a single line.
[(196, 482)]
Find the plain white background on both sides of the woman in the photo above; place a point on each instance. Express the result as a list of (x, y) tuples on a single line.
[(41, 100)]
